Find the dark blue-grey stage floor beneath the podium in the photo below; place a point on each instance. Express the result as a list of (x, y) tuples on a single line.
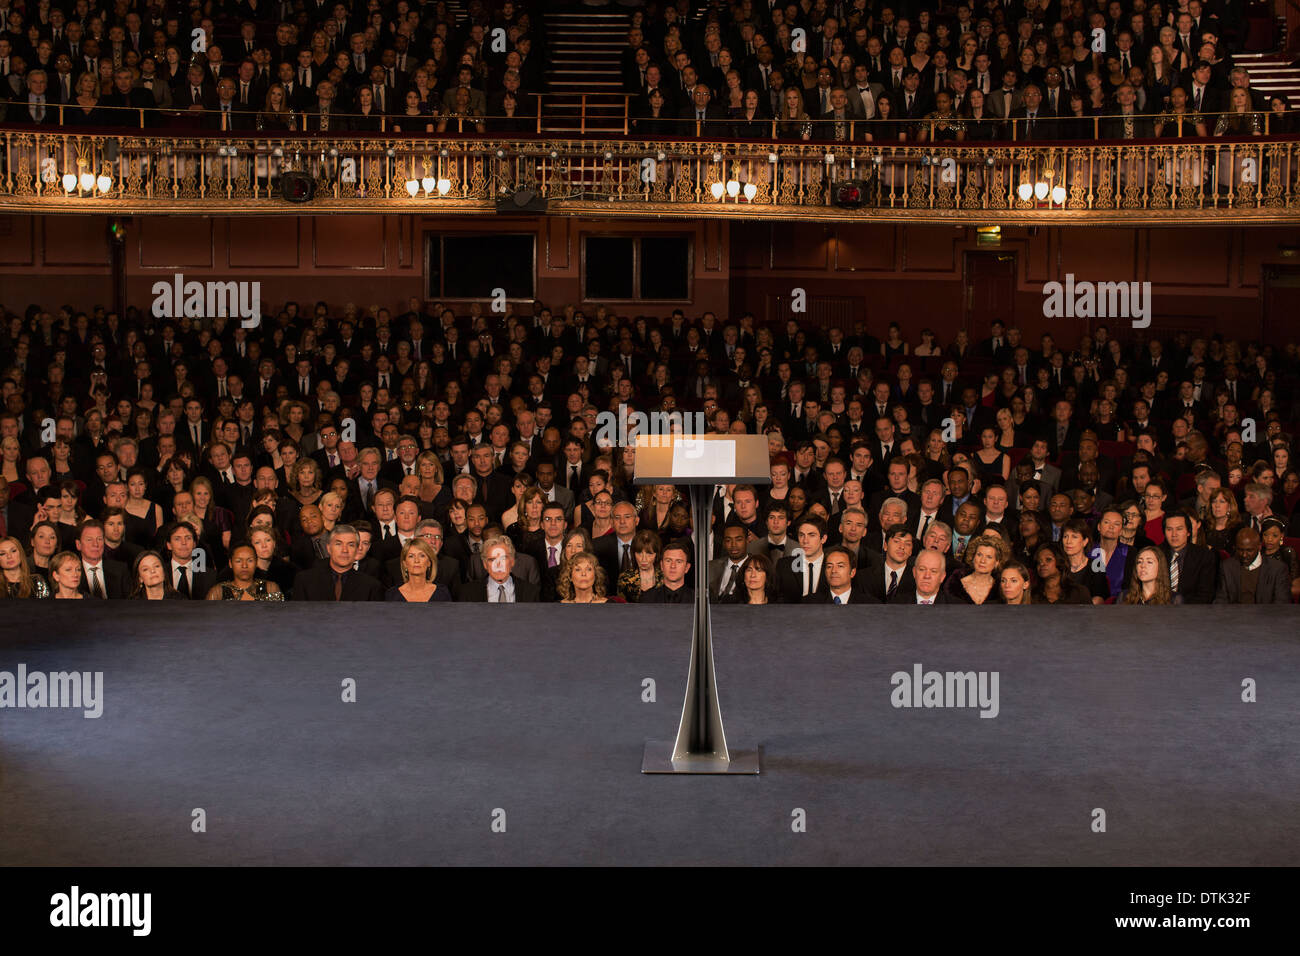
[(539, 712)]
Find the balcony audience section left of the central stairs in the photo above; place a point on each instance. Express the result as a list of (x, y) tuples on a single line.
[(274, 66)]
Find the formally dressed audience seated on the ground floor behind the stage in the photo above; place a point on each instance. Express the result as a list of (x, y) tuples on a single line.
[(421, 455)]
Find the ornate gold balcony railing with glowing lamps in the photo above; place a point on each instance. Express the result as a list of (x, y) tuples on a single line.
[(1177, 181)]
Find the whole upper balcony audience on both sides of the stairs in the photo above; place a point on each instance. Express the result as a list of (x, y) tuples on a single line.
[(865, 71)]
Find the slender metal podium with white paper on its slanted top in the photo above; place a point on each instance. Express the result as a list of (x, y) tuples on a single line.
[(701, 462)]
